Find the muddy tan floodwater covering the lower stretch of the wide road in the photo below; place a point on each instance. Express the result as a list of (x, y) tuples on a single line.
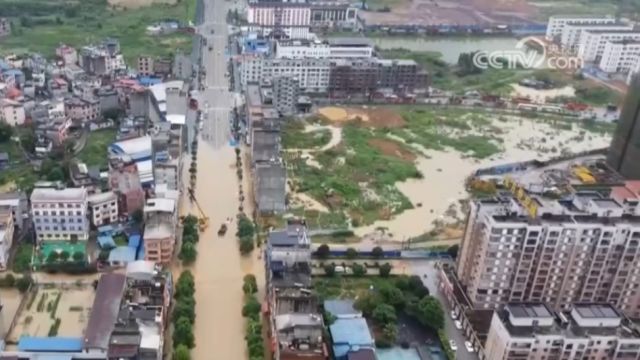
[(219, 328)]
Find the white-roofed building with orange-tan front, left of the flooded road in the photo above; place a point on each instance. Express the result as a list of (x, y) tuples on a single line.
[(159, 233)]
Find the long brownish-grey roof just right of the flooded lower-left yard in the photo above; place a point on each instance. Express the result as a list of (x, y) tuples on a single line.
[(104, 311)]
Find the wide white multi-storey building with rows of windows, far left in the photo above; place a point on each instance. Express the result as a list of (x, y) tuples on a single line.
[(60, 214)]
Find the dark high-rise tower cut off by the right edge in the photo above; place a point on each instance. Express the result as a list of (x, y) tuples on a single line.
[(624, 153)]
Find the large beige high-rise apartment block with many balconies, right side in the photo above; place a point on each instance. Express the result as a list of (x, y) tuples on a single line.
[(583, 250)]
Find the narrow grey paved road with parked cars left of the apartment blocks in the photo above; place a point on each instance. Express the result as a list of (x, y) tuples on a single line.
[(431, 281)]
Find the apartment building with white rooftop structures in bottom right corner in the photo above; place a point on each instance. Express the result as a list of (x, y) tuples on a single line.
[(532, 331)]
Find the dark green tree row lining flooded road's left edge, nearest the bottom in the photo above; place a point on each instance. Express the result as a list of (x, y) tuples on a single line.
[(184, 312)]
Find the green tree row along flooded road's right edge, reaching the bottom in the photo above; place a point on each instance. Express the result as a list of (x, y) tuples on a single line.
[(251, 311)]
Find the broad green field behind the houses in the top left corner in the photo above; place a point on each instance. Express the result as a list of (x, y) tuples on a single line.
[(41, 25)]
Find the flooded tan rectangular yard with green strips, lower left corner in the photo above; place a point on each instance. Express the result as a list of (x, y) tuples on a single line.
[(72, 305)]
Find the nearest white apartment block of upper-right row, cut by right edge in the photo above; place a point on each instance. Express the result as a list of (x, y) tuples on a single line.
[(620, 56)]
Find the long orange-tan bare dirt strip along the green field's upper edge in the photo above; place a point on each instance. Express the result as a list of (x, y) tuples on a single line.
[(376, 117)]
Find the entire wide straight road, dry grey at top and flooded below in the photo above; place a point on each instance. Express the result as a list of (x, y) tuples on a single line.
[(219, 269)]
